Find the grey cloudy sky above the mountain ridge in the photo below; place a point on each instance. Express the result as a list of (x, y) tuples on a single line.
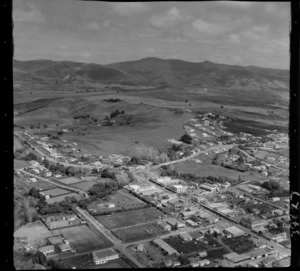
[(228, 32)]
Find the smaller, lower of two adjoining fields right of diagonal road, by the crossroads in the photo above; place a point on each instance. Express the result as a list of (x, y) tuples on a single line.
[(138, 232)]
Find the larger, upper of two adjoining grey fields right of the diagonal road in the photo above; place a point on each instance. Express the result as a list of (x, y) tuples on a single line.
[(129, 218)]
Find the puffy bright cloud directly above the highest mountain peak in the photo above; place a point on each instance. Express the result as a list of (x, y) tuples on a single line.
[(170, 18)]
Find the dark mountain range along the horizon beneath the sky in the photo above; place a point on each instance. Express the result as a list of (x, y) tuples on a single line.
[(155, 72)]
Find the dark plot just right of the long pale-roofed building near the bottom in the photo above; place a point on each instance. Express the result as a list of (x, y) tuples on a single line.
[(188, 248)]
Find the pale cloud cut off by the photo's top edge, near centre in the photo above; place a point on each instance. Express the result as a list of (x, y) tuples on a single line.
[(130, 8)]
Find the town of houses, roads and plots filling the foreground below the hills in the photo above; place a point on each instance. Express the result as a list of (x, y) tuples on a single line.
[(121, 211)]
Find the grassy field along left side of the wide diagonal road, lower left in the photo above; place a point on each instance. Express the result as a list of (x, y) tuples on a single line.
[(83, 238)]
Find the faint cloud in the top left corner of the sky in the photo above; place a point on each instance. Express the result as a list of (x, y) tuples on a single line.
[(31, 16)]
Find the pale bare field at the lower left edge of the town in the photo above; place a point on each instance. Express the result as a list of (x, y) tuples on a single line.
[(35, 233)]
